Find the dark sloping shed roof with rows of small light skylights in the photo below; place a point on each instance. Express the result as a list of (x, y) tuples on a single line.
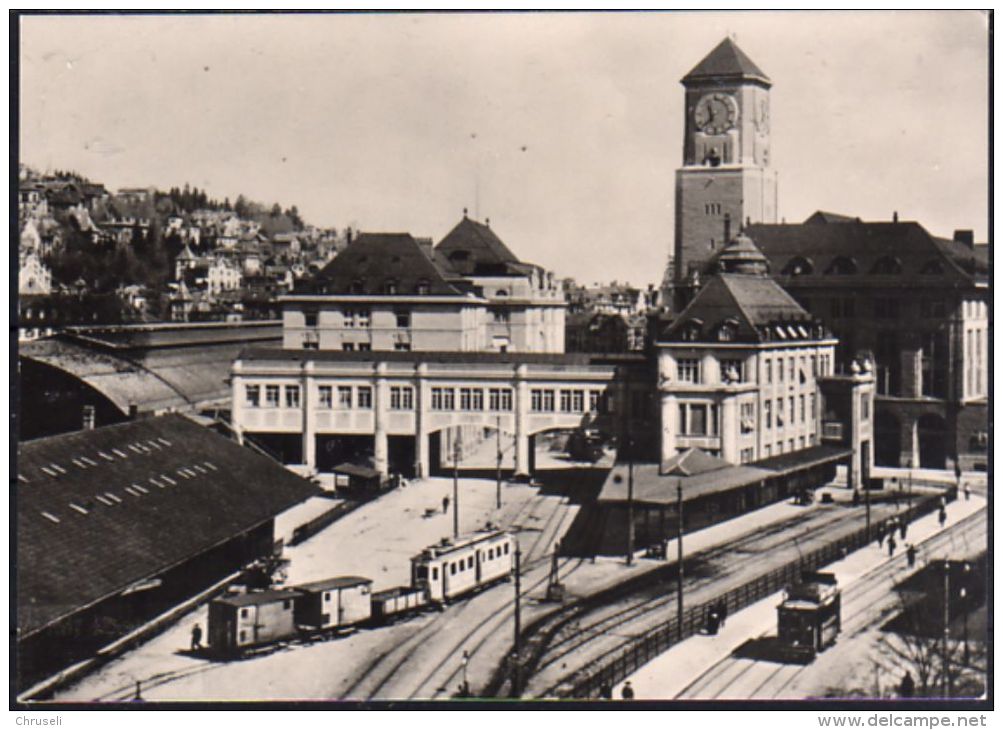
[(100, 511)]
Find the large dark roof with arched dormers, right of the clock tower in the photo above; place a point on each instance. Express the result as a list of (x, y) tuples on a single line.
[(821, 242)]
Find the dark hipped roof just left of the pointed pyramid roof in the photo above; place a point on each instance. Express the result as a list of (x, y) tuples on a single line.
[(373, 260)]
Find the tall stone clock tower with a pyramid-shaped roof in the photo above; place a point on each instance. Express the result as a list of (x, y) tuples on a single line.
[(727, 180)]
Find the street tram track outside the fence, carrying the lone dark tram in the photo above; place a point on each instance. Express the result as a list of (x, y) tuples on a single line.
[(860, 598)]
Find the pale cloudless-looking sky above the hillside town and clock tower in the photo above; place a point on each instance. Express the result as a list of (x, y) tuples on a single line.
[(564, 130)]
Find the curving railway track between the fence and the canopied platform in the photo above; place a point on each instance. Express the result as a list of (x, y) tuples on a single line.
[(566, 634)]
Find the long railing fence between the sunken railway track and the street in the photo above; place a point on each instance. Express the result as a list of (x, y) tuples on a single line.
[(604, 674)]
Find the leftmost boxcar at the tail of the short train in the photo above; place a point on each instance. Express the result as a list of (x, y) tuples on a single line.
[(245, 621)]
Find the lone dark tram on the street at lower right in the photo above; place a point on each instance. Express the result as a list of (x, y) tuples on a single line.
[(809, 620)]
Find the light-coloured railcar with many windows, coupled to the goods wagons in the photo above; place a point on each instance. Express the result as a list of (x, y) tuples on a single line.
[(452, 569)]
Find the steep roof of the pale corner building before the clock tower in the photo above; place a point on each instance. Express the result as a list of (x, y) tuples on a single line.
[(749, 302)]
